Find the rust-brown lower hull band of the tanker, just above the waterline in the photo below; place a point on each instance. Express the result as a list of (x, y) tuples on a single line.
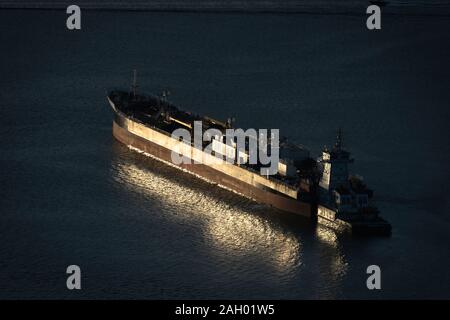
[(260, 195)]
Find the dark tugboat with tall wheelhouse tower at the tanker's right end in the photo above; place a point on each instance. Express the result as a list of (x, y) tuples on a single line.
[(344, 200)]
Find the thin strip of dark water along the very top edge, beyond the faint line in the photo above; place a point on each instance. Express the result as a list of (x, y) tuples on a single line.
[(428, 7)]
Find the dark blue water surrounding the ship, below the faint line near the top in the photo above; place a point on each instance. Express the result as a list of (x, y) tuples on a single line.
[(70, 194)]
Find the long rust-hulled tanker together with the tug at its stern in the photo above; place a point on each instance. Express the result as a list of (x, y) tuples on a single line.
[(319, 189)]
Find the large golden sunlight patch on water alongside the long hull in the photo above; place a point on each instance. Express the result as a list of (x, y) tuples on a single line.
[(228, 224)]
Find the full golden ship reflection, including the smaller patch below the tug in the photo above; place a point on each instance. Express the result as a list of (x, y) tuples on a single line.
[(231, 226)]
